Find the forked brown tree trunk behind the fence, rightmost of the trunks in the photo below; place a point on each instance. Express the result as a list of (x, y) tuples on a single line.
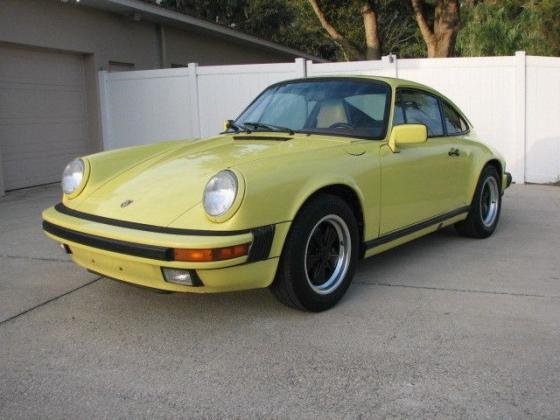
[(440, 31)]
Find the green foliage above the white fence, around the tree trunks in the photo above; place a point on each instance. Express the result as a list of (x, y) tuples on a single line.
[(490, 27)]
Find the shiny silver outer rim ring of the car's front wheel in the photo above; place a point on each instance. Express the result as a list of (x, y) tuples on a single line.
[(343, 258)]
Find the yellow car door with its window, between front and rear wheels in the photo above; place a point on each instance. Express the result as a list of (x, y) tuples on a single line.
[(421, 180)]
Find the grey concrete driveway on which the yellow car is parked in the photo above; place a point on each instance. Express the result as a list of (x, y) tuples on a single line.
[(441, 327)]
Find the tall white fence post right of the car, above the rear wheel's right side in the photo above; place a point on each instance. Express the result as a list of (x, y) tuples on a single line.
[(521, 109)]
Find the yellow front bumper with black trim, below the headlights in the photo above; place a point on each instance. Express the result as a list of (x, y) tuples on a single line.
[(137, 253)]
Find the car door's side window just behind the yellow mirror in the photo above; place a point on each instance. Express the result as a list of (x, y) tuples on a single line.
[(421, 108)]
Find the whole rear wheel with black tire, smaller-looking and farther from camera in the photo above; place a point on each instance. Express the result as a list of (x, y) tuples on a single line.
[(485, 208)]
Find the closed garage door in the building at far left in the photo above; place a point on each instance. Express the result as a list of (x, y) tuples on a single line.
[(43, 116)]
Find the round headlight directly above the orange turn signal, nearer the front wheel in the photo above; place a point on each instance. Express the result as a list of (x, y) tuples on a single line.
[(220, 193)]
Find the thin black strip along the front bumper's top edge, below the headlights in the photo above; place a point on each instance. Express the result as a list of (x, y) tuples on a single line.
[(60, 207)]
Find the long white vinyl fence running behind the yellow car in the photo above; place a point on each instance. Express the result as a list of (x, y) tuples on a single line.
[(513, 102)]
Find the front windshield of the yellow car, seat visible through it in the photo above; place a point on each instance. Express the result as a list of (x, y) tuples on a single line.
[(349, 107)]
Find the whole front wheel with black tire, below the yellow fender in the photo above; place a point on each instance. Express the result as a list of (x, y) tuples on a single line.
[(312, 275)]
